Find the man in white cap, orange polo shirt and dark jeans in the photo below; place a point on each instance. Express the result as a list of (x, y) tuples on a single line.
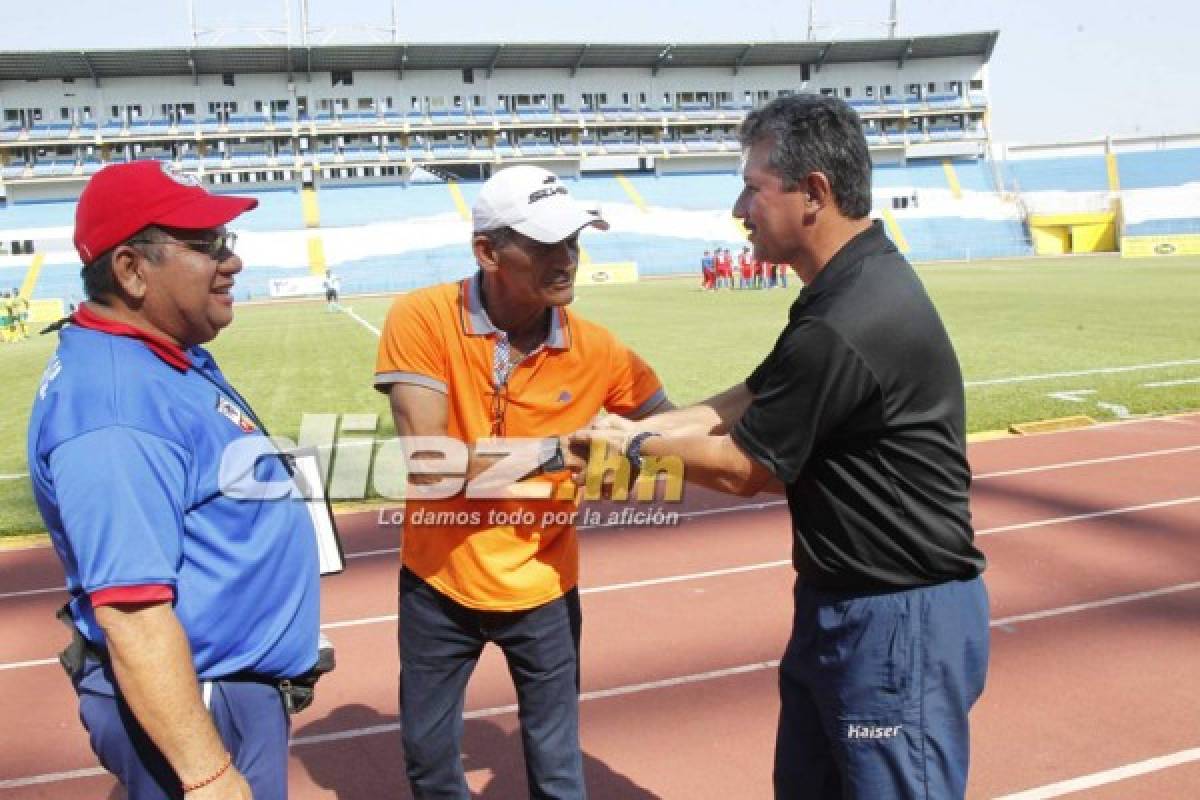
[(494, 357)]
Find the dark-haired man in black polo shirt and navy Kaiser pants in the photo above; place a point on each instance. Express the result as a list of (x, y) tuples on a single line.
[(857, 414)]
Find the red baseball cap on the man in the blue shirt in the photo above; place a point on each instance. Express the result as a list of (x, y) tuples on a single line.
[(122, 200)]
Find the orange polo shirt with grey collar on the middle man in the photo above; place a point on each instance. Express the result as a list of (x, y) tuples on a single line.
[(442, 339)]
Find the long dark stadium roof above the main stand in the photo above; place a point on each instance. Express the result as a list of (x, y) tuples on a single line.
[(26, 65)]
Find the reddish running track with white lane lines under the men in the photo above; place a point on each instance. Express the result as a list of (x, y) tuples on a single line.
[(1095, 578)]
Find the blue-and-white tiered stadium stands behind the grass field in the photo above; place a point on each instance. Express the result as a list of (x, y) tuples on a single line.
[(659, 153)]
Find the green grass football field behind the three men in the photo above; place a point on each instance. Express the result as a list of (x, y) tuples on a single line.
[(1016, 324)]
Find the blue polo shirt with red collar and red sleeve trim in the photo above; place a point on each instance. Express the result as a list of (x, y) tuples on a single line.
[(125, 449)]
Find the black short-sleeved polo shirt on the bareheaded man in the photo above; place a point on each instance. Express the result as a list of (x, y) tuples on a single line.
[(860, 412)]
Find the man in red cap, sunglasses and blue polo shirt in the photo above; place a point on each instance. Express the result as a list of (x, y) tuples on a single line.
[(190, 605)]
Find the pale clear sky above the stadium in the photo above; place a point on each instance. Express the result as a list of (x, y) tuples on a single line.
[(1063, 70)]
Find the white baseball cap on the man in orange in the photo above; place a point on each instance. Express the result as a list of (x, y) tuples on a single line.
[(533, 202)]
